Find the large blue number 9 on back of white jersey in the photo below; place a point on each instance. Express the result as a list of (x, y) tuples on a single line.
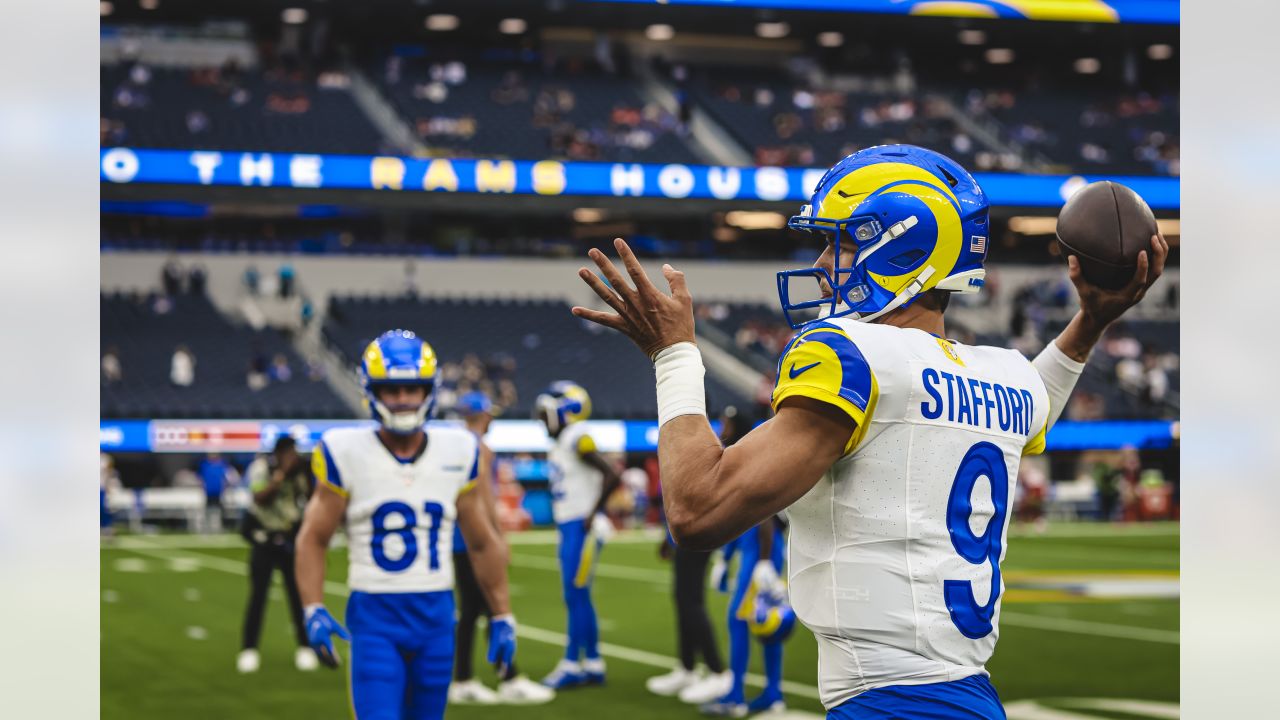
[(988, 461)]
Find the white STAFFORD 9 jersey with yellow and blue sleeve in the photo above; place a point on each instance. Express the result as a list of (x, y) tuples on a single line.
[(894, 557)]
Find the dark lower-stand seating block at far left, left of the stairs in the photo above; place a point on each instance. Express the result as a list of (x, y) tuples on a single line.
[(147, 340)]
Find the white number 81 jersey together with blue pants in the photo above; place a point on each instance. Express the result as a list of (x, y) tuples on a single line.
[(400, 527)]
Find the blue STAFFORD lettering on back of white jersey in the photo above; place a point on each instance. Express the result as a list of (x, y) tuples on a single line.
[(979, 404)]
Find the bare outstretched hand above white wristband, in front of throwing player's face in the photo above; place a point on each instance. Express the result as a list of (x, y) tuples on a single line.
[(653, 320)]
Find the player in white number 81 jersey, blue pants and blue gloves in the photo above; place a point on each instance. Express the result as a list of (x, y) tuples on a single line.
[(400, 489)]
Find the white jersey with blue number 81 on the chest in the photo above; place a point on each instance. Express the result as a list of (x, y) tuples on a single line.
[(400, 513)]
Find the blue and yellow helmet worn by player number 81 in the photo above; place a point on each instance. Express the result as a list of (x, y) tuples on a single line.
[(399, 358)]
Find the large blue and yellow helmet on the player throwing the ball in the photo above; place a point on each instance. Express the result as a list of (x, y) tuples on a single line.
[(913, 220)]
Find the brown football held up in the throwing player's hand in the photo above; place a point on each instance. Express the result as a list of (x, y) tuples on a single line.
[(1107, 226)]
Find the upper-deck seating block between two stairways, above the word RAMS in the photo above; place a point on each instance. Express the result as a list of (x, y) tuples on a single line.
[(528, 112)]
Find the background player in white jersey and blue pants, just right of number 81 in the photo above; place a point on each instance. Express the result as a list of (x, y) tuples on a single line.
[(582, 482)]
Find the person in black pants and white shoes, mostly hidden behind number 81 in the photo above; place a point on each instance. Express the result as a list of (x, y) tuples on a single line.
[(514, 689)]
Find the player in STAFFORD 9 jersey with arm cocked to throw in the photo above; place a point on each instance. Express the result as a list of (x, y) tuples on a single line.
[(893, 450)]
